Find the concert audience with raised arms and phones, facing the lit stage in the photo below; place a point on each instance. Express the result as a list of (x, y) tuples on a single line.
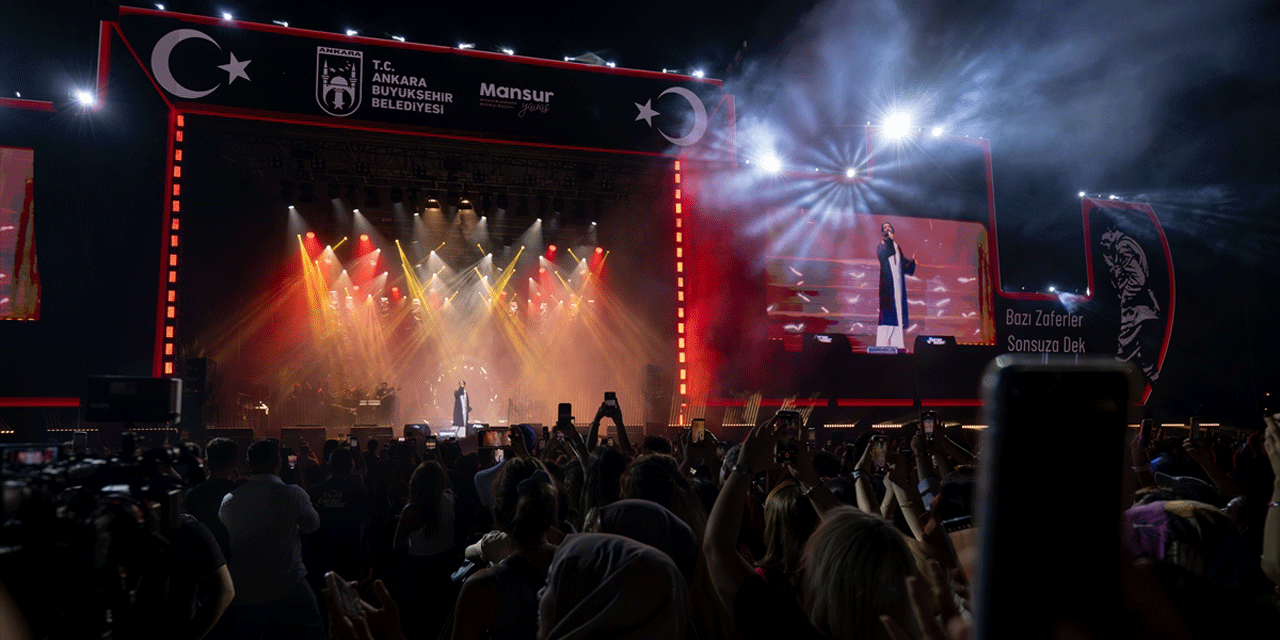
[(775, 537)]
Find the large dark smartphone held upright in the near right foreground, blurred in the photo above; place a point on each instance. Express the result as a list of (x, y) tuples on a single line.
[(1030, 403)]
